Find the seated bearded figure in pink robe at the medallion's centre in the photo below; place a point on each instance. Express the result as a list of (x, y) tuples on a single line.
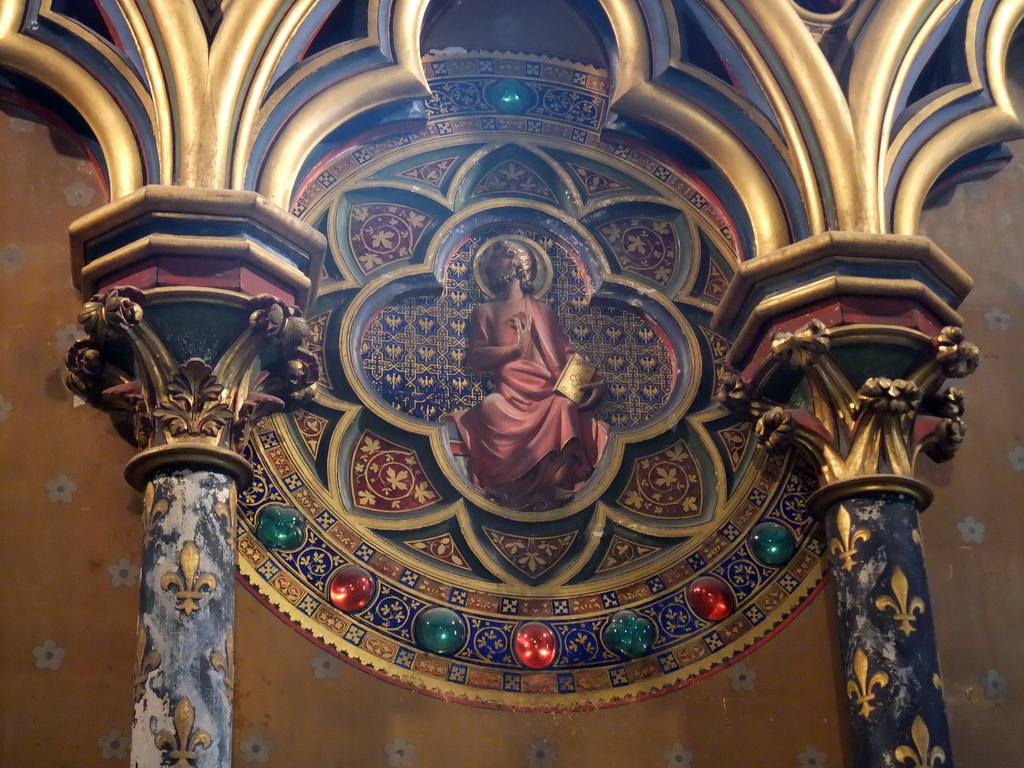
[(530, 447)]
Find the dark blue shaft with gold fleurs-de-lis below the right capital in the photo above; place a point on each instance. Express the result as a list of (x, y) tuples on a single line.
[(887, 637)]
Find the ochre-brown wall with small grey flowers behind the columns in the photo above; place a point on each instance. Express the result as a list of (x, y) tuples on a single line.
[(61, 548)]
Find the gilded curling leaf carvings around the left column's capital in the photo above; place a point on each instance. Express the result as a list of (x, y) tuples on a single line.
[(194, 401)]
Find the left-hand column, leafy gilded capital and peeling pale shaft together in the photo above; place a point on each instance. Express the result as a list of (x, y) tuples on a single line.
[(194, 331)]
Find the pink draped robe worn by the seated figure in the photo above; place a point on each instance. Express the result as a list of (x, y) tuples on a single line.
[(529, 447)]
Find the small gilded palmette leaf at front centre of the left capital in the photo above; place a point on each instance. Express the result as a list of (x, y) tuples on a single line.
[(194, 406)]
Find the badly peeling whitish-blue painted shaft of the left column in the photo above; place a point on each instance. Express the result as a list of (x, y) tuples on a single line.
[(187, 641)]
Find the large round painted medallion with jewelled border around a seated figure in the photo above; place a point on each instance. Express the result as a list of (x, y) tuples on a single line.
[(516, 439)]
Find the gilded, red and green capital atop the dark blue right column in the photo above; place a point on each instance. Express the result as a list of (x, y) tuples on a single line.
[(849, 369)]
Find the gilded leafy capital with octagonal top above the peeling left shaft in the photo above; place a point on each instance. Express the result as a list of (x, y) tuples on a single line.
[(179, 357)]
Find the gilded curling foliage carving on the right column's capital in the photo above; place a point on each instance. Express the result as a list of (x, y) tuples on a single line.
[(876, 429)]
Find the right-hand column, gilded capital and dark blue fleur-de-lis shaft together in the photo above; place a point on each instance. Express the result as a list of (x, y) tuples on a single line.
[(850, 370)]
